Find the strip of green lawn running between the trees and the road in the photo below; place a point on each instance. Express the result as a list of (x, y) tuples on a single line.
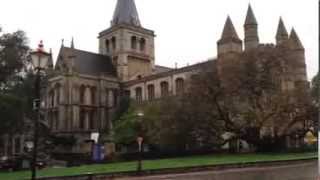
[(160, 164)]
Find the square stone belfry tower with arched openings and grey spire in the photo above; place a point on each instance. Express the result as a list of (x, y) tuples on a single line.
[(130, 45)]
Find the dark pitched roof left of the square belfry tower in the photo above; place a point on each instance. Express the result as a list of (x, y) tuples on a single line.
[(88, 63)]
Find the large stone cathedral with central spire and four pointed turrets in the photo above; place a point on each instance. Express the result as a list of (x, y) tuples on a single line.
[(85, 90)]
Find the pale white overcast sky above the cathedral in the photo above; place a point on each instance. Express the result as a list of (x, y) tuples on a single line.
[(187, 30)]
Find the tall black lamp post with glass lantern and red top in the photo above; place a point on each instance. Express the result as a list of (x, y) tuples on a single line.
[(39, 59)]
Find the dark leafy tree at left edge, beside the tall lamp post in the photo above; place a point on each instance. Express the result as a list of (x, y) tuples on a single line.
[(16, 90)]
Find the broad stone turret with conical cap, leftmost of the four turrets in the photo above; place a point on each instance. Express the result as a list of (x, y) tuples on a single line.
[(229, 42)]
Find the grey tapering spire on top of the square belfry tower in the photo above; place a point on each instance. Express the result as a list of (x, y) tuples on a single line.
[(126, 13)]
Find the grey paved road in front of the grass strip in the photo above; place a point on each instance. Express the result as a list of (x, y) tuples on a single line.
[(302, 171)]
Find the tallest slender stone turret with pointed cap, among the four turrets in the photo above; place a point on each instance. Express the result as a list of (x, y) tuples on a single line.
[(251, 38)]
